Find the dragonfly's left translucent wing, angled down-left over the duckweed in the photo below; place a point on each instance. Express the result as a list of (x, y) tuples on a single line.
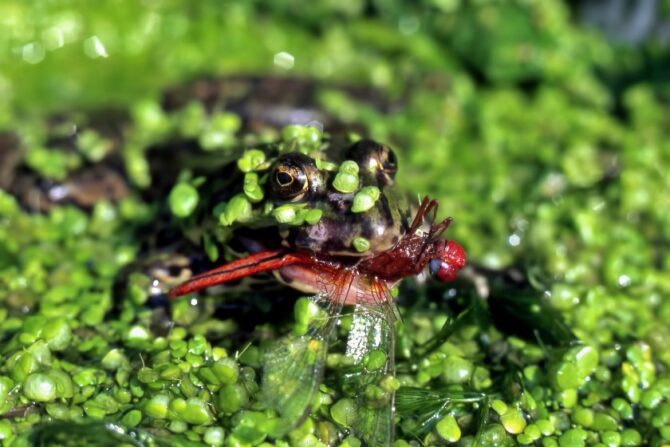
[(293, 367)]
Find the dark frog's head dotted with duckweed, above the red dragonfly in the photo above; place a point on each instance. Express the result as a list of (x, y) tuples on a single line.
[(340, 200)]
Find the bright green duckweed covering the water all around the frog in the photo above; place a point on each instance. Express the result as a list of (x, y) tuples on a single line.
[(509, 114)]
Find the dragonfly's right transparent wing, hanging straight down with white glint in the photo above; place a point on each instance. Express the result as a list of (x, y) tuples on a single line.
[(370, 347)]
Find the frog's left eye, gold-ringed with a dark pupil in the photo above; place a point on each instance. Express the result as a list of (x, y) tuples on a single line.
[(291, 177)]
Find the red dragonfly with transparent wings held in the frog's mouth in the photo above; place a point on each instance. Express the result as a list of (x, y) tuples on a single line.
[(294, 368)]
